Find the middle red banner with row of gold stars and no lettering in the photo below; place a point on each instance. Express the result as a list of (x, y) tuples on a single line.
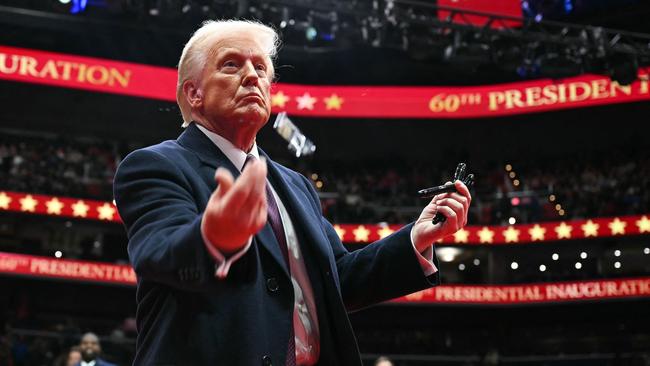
[(364, 233)]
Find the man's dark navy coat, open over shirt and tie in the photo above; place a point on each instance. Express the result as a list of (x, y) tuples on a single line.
[(186, 316)]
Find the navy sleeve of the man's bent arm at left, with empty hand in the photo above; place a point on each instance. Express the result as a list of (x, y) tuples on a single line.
[(162, 221)]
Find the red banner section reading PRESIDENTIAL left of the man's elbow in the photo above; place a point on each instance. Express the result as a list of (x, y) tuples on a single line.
[(67, 269)]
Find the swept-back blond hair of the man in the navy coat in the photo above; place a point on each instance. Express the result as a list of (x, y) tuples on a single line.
[(197, 49)]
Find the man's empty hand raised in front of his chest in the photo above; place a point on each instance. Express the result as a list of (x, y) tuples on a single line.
[(237, 209)]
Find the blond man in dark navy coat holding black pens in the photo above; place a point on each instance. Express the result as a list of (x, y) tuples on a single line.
[(235, 263)]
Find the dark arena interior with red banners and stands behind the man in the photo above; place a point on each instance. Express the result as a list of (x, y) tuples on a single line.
[(546, 101)]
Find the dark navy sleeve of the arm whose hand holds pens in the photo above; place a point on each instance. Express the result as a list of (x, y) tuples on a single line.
[(384, 270)]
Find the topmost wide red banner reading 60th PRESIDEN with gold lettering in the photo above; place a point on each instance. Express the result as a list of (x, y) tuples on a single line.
[(109, 76)]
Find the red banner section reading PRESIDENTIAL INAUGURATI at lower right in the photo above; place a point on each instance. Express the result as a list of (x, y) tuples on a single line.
[(533, 293)]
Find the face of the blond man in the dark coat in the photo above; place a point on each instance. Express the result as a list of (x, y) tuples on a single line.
[(235, 83)]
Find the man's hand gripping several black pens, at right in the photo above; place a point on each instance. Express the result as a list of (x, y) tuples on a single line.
[(454, 206)]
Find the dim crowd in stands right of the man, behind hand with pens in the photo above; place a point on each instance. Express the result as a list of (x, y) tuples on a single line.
[(527, 189)]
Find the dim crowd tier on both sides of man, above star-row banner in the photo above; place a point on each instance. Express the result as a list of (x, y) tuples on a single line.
[(527, 188)]
